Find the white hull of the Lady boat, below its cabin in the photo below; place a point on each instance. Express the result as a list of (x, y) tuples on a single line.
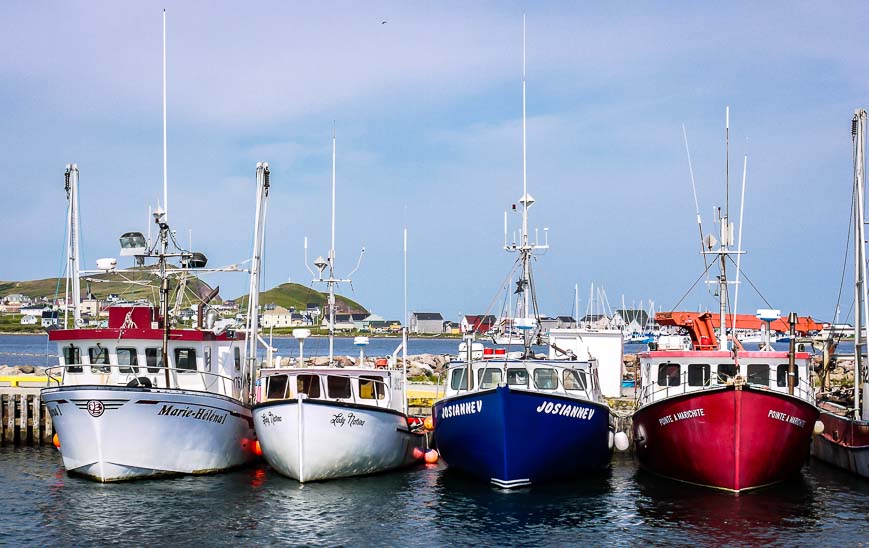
[(311, 440)]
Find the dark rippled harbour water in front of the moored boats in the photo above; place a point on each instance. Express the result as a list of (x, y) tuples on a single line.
[(426, 505)]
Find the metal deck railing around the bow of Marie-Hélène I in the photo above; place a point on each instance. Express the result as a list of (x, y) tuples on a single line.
[(59, 375)]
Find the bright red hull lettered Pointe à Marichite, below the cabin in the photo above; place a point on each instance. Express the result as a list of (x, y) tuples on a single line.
[(726, 438)]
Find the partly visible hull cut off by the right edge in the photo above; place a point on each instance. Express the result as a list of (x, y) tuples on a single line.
[(843, 443)]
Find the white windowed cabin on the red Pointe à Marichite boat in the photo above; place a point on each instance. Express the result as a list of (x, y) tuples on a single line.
[(669, 373)]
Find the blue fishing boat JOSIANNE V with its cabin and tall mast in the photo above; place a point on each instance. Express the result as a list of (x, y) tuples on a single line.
[(518, 418)]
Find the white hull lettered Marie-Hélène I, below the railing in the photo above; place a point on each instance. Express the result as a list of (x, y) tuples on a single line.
[(119, 433)]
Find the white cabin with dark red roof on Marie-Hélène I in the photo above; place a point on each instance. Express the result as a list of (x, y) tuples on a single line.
[(129, 352)]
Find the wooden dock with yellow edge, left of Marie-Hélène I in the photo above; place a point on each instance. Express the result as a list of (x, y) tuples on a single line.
[(24, 420)]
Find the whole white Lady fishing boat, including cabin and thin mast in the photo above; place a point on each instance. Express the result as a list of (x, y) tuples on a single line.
[(331, 422)]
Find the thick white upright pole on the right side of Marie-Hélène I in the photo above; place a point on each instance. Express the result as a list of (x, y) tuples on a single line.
[(263, 184)]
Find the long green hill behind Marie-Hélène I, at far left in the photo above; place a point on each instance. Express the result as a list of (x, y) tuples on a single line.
[(102, 285)]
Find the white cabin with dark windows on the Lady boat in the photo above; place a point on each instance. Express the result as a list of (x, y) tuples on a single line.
[(362, 386)]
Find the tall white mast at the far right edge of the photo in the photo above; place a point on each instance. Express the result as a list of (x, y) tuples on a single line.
[(861, 317)]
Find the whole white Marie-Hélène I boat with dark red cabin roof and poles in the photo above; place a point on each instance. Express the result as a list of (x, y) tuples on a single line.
[(141, 398)]
